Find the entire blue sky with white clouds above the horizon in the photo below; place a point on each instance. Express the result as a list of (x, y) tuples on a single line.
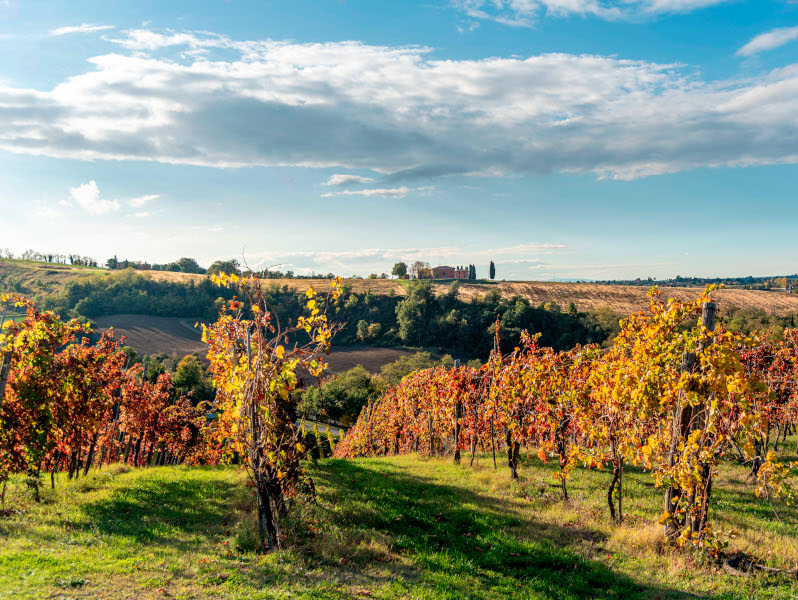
[(562, 139)]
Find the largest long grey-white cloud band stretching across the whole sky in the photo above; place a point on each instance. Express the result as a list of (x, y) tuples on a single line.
[(399, 112)]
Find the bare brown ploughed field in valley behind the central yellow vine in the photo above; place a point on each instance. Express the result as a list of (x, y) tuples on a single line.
[(176, 337)]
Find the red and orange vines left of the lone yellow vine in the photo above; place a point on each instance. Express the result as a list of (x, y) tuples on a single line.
[(66, 404)]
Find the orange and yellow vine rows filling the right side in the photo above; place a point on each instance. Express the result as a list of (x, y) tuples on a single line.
[(675, 397)]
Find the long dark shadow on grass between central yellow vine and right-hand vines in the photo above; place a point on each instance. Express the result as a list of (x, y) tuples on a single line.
[(463, 543)]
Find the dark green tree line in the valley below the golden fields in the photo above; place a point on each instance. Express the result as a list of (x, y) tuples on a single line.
[(442, 323)]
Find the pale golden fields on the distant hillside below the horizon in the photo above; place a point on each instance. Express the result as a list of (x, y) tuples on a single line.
[(622, 299)]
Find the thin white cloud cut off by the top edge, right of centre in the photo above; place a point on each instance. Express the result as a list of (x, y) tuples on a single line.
[(525, 13)]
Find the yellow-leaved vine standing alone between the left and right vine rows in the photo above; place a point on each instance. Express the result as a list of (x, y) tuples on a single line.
[(256, 363)]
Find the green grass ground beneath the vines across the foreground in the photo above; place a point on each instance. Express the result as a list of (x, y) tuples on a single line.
[(402, 527)]
